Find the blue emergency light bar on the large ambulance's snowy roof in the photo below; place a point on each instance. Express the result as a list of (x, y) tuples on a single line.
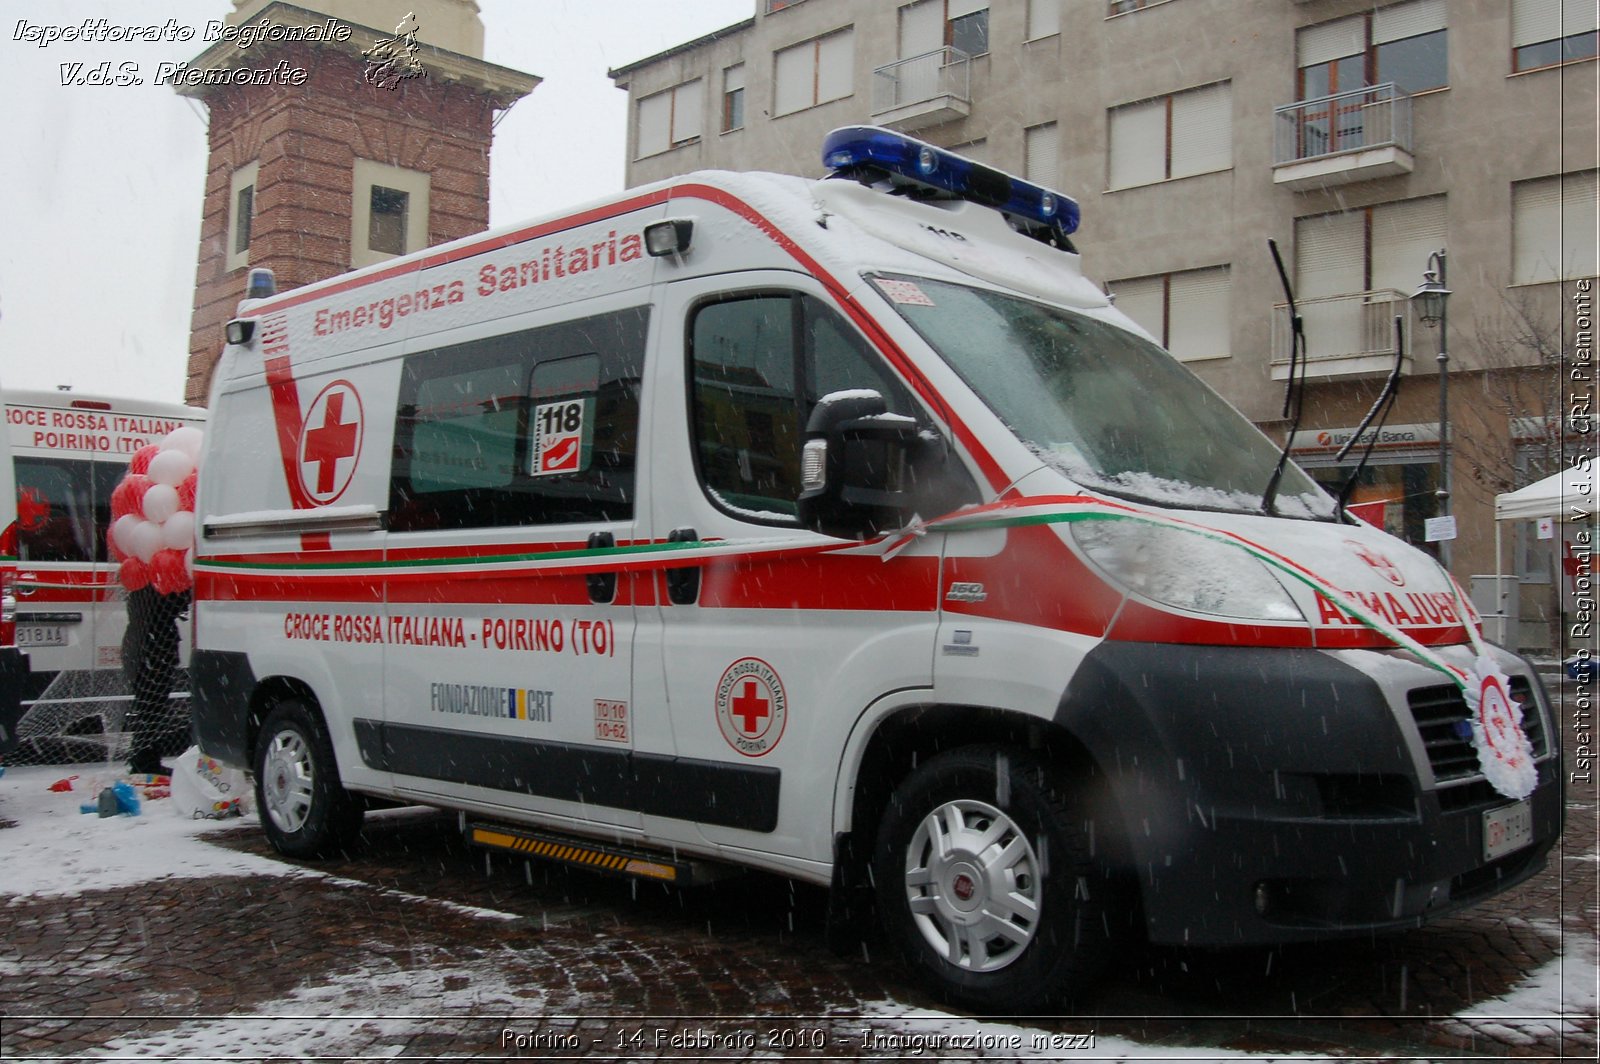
[(855, 150)]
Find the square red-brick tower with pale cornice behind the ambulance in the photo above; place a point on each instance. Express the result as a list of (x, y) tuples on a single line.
[(337, 142)]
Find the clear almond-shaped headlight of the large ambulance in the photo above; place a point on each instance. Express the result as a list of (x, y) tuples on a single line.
[(1185, 569)]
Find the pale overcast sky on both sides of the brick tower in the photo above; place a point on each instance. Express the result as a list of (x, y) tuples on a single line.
[(100, 191)]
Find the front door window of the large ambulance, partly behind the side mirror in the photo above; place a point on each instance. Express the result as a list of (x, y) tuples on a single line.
[(758, 367)]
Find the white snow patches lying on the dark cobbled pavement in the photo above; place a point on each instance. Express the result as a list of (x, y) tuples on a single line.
[(52, 850)]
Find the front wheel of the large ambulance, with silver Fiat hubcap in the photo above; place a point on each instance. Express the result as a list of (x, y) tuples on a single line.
[(988, 886)]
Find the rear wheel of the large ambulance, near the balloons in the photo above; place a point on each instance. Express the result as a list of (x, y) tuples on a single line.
[(305, 809)]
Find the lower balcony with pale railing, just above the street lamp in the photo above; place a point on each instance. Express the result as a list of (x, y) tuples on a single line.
[(1346, 337)]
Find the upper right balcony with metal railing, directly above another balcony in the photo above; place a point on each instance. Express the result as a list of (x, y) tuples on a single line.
[(1337, 140)]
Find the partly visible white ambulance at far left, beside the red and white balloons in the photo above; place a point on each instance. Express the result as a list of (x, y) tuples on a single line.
[(65, 454)]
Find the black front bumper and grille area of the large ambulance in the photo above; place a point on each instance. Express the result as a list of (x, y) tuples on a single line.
[(1274, 794)]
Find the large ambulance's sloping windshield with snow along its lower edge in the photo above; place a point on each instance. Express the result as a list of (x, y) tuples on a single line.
[(1102, 406)]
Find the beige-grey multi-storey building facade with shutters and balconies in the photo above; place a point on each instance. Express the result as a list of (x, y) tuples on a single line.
[(1364, 138)]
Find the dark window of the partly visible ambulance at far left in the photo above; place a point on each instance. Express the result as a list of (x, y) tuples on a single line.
[(63, 508)]
